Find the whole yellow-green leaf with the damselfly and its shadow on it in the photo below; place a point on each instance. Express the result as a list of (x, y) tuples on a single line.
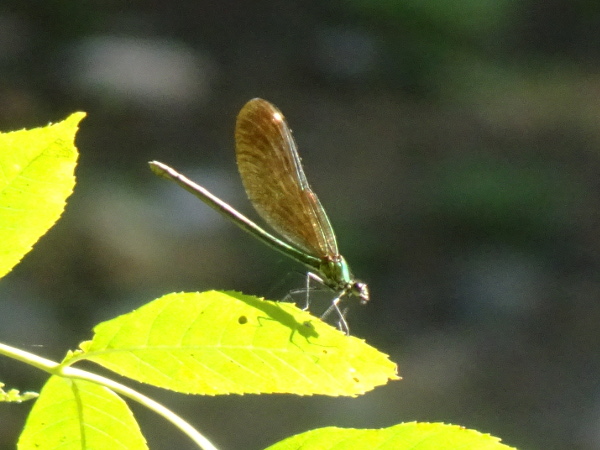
[(219, 343)]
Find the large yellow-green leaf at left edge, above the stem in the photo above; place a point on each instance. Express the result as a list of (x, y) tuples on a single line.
[(36, 177)]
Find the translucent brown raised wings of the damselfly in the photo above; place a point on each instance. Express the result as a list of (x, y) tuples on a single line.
[(275, 182)]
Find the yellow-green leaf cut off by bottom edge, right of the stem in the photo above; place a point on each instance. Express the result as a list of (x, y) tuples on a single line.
[(413, 436)]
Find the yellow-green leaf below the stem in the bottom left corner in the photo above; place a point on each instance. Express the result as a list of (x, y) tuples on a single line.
[(76, 414)]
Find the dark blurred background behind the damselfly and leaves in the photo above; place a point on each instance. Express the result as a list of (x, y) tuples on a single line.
[(454, 144)]
